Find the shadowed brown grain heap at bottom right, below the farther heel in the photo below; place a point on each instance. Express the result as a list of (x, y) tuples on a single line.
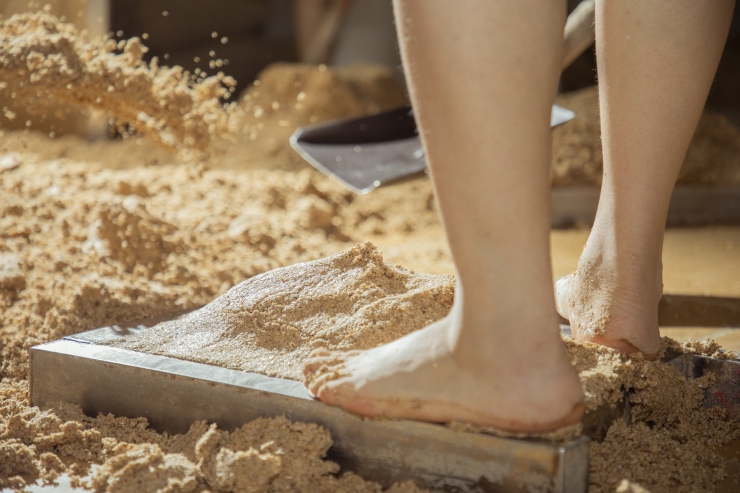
[(672, 444)]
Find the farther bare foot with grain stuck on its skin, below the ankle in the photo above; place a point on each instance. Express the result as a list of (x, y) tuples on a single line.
[(611, 303)]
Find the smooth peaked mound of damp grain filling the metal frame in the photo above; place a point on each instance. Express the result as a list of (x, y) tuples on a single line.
[(269, 323)]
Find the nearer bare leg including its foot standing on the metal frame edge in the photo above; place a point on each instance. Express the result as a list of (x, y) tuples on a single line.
[(483, 79)]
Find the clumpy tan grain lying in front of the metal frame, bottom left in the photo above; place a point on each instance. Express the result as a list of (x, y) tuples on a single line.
[(265, 455)]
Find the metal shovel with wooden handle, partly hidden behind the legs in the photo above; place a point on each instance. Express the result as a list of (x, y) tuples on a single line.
[(363, 153)]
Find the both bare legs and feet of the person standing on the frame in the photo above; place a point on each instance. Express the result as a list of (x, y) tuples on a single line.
[(483, 105)]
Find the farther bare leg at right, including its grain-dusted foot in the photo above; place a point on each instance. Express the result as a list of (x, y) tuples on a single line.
[(656, 62)]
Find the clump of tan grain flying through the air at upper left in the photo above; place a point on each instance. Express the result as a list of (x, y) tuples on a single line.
[(45, 61)]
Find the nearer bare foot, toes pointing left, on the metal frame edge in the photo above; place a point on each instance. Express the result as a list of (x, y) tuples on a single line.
[(436, 375)]
